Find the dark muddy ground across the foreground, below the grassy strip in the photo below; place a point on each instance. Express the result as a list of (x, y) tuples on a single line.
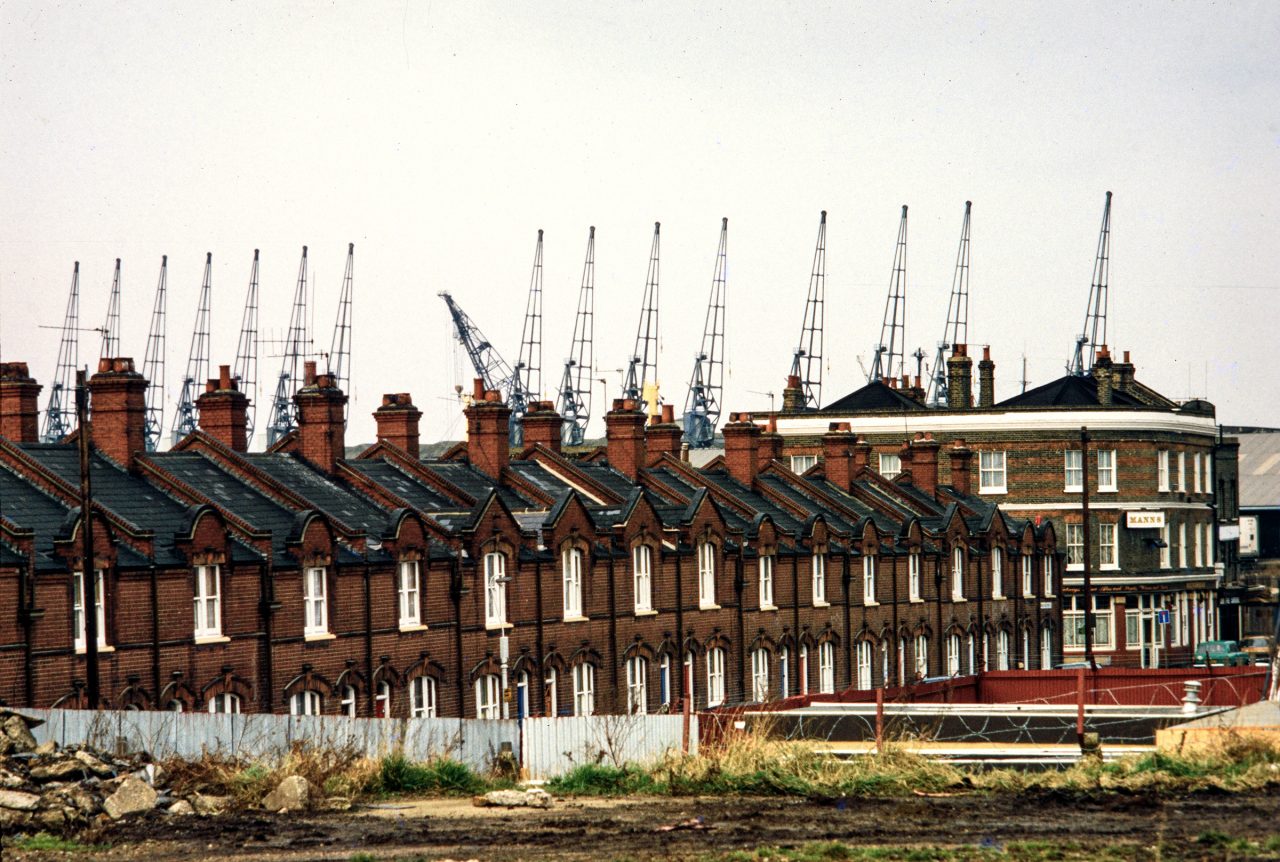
[(1150, 828)]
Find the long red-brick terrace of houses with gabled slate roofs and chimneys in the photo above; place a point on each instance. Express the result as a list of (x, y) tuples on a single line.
[(623, 580)]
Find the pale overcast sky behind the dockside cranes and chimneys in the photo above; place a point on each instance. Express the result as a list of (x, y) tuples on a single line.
[(441, 136)]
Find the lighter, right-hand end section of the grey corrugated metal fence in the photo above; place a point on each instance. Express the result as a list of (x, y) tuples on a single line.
[(556, 746)]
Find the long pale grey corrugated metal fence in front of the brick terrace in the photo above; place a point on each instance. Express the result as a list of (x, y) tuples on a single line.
[(548, 747)]
